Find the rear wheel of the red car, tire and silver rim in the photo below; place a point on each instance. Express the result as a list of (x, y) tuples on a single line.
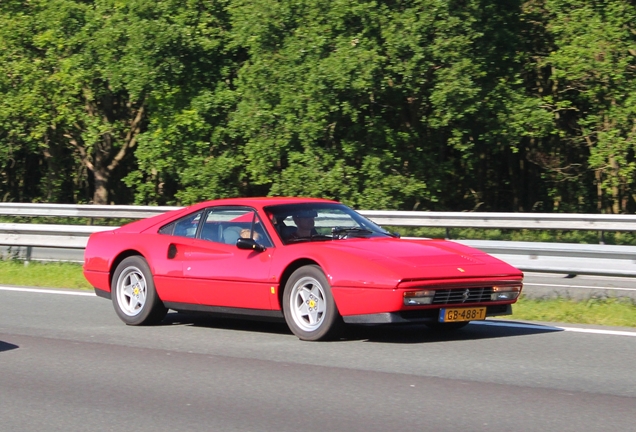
[(133, 293)]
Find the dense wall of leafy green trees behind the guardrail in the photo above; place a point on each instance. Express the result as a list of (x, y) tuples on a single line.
[(405, 104)]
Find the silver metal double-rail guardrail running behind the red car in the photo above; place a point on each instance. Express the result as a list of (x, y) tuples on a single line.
[(604, 260)]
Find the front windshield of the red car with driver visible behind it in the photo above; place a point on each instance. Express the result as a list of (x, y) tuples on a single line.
[(320, 222)]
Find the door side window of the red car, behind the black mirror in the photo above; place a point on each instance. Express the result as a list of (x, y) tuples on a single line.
[(228, 224)]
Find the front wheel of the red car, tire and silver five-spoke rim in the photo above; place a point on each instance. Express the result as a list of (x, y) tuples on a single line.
[(308, 305)]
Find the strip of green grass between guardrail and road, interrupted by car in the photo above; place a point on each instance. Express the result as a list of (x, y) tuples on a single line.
[(608, 312)]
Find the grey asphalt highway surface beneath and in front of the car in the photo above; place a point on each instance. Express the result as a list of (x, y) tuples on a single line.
[(68, 364)]
